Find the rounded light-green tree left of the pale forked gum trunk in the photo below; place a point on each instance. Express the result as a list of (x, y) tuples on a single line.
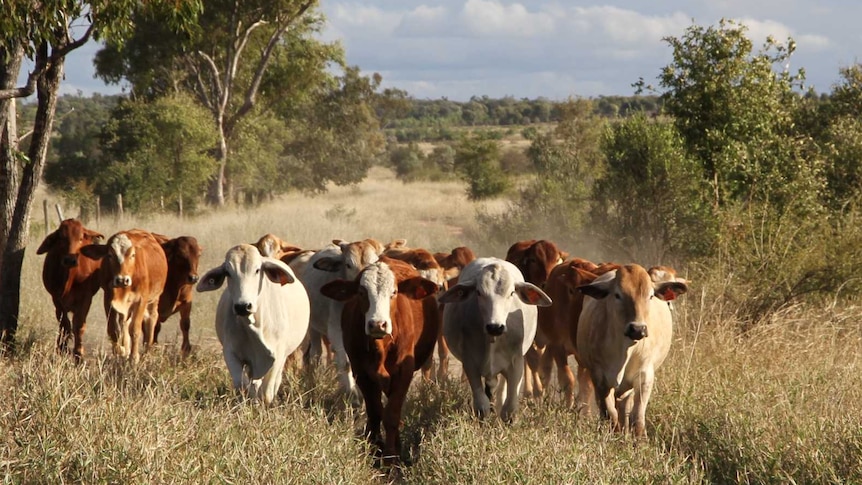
[(156, 151)]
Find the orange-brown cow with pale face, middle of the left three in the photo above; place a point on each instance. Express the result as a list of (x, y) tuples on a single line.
[(134, 271)]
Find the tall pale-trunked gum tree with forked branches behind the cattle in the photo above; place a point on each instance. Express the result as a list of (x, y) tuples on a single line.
[(224, 62)]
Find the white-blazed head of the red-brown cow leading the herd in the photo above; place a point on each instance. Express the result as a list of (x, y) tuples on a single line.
[(378, 287)]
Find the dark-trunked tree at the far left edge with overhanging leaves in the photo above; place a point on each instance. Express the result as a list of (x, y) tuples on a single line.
[(42, 32)]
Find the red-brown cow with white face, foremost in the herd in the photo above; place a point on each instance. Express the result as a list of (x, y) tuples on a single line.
[(389, 324)]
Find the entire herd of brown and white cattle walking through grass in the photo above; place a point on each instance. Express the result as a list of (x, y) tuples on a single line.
[(378, 311)]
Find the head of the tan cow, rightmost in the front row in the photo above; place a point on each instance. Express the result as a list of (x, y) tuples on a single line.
[(632, 289)]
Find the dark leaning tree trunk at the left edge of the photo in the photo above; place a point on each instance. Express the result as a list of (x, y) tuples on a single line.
[(19, 231)]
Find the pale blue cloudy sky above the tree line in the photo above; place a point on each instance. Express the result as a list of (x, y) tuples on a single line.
[(553, 49)]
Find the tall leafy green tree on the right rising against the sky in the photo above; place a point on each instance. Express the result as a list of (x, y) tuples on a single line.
[(735, 111)]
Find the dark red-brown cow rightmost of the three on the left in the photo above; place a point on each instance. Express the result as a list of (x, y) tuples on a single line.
[(182, 254)]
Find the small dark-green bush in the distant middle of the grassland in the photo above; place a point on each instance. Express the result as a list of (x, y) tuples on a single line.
[(477, 160)]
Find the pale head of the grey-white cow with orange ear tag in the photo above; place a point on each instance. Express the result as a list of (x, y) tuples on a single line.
[(497, 290)]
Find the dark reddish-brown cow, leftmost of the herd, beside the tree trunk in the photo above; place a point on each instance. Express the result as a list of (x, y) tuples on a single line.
[(71, 278)]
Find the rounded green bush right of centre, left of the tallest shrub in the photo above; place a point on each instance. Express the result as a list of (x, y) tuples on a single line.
[(650, 203)]
